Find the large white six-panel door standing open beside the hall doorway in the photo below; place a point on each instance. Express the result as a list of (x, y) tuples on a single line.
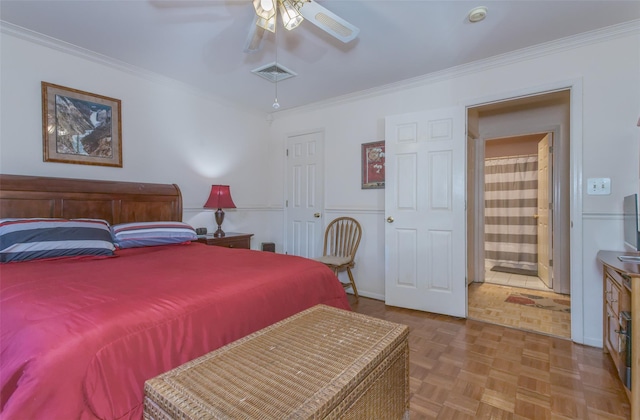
[(425, 251)]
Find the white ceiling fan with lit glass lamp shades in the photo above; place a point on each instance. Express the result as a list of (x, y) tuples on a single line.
[(292, 13)]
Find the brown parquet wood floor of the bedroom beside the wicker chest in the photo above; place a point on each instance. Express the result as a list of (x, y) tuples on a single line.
[(466, 369)]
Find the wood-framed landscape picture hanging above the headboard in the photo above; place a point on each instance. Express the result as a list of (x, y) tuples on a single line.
[(80, 127)]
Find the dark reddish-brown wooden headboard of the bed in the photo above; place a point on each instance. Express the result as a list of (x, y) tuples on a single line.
[(113, 201)]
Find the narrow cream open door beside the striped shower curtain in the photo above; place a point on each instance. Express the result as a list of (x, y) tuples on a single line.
[(543, 214)]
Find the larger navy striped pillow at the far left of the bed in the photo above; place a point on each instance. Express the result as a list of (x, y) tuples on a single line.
[(30, 239)]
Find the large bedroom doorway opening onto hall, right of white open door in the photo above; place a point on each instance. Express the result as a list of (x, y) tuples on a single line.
[(512, 130)]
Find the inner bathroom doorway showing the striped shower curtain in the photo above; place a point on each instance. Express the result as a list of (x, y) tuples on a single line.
[(516, 203)]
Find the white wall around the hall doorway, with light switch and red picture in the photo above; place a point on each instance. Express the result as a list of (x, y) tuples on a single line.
[(608, 67)]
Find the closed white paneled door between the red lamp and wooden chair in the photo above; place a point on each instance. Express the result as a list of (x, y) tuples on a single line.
[(305, 194)]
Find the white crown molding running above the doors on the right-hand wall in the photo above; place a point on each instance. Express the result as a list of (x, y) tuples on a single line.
[(559, 45)]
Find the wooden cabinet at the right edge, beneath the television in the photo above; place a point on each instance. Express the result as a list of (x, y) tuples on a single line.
[(621, 309)]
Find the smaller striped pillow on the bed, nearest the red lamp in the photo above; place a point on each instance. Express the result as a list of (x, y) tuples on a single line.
[(139, 234)]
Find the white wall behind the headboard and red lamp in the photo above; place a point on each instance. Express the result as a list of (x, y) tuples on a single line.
[(170, 132)]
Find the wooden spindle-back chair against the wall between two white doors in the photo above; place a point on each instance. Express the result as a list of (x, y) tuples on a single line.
[(341, 240)]
